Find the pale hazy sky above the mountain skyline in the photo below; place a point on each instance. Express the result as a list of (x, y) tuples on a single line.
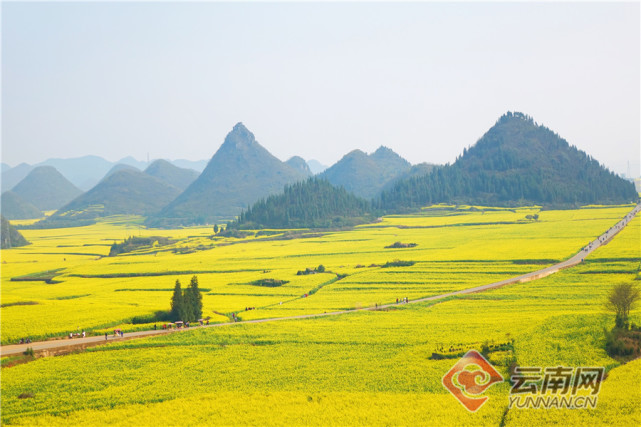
[(315, 79)]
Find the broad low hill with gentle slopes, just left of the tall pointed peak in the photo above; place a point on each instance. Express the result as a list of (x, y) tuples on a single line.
[(124, 191)]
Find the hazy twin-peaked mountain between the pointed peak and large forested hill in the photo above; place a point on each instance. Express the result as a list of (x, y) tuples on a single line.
[(364, 175)]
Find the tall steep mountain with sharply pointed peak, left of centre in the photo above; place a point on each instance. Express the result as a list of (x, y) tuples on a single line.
[(241, 172)]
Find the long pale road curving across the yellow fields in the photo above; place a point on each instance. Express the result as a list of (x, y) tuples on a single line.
[(603, 239)]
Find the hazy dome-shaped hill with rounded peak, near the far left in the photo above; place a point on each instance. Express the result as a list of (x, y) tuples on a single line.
[(46, 188)]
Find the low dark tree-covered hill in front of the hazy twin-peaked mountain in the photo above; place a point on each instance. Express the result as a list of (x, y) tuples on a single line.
[(313, 203)]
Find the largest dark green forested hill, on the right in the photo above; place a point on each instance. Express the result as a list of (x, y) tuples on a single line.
[(516, 162)]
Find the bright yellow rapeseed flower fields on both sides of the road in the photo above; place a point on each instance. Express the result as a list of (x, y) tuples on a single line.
[(360, 368)]
